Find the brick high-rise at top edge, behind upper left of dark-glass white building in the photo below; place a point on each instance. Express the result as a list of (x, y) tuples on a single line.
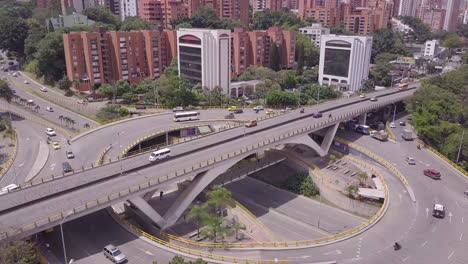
[(325, 12)]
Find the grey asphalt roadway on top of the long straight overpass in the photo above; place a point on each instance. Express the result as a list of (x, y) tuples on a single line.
[(70, 200)]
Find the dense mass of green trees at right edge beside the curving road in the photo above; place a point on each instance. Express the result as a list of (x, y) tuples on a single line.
[(440, 113)]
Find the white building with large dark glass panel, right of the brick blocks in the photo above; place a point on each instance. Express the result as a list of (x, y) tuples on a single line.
[(344, 61)]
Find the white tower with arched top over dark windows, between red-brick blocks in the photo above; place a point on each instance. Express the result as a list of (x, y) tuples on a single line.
[(204, 56)]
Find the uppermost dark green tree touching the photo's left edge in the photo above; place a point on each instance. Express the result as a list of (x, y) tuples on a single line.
[(13, 32)]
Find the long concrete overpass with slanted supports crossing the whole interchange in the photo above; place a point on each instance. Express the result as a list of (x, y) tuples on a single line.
[(44, 205)]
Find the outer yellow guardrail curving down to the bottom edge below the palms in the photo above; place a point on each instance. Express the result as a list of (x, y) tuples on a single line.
[(201, 254)]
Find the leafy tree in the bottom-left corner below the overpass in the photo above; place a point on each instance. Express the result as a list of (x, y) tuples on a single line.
[(20, 252)]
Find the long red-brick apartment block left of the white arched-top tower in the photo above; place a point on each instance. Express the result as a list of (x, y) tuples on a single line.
[(95, 58)]
